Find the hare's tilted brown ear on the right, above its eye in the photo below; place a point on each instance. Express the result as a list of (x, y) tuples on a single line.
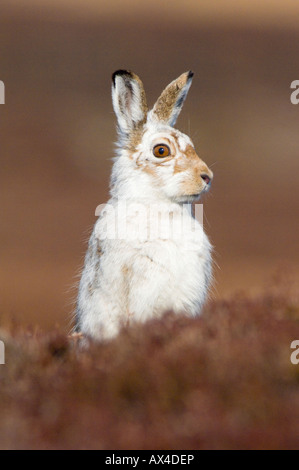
[(170, 103)]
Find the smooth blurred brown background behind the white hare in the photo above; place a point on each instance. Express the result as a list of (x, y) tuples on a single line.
[(58, 129)]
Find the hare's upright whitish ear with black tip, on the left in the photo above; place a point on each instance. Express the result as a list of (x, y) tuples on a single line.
[(129, 101)]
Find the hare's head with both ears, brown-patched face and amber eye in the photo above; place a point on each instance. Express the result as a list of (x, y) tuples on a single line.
[(163, 156)]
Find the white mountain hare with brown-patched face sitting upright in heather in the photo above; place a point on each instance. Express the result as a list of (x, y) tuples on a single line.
[(147, 254)]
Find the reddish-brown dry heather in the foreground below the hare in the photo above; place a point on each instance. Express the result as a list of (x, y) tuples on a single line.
[(223, 381)]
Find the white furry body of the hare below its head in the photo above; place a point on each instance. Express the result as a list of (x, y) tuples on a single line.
[(137, 276)]
